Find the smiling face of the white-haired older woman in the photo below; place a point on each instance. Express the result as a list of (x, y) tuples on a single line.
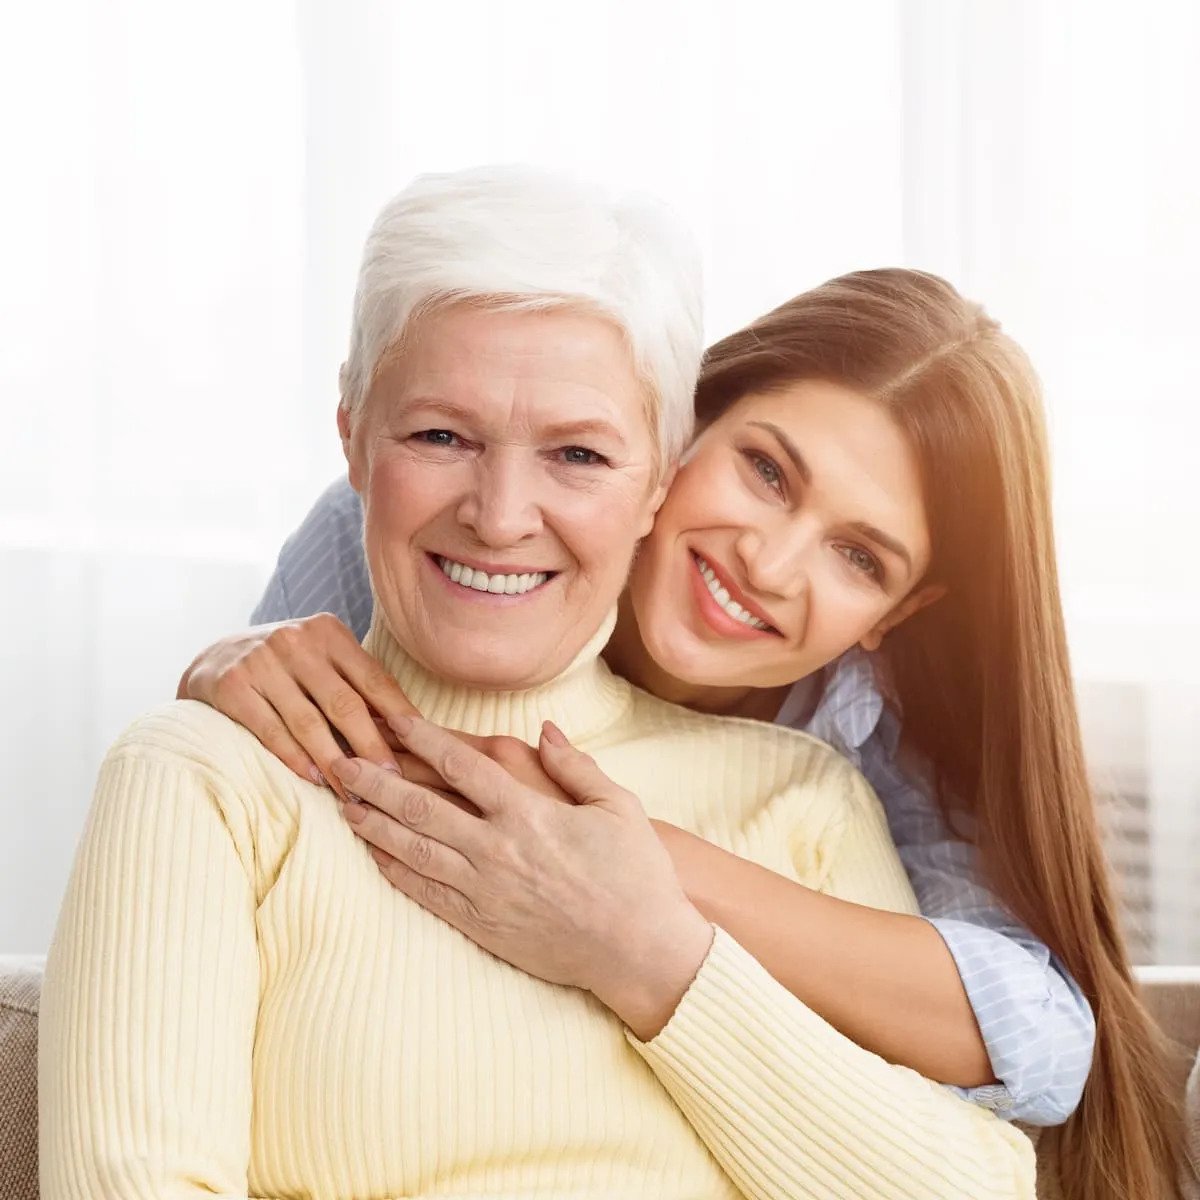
[(507, 470)]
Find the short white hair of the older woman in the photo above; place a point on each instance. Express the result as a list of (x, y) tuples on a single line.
[(531, 239)]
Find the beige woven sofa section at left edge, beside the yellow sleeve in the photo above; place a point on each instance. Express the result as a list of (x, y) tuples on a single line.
[(20, 989)]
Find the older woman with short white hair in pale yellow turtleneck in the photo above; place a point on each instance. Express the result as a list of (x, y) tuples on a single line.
[(238, 1004)]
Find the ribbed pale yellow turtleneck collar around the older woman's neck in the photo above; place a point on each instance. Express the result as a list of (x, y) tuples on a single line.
[(584, 701)]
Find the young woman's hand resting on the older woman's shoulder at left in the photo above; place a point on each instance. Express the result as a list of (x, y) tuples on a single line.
[(307, 689)]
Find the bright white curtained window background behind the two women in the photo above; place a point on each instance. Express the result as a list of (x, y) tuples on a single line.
[(185, 194)]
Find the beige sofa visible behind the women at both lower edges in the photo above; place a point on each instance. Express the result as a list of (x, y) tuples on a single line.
[(1173, 997)]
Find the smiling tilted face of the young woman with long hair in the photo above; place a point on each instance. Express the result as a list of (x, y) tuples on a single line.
[(795, 530)]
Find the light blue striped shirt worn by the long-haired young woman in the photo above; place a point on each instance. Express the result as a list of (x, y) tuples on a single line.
[(1036, 1023)]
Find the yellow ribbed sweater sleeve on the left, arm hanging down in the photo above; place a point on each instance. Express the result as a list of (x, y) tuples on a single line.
[(152, 994)]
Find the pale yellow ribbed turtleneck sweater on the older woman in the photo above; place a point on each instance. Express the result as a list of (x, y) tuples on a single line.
[(238, 1005)]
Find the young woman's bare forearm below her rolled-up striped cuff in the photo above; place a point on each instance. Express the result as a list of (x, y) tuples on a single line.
[(885, 980)]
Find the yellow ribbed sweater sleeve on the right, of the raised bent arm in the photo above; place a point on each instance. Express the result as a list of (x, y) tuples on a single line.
[(793, 1108)]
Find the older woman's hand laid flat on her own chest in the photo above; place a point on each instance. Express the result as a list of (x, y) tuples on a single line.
[(580, 895)]
